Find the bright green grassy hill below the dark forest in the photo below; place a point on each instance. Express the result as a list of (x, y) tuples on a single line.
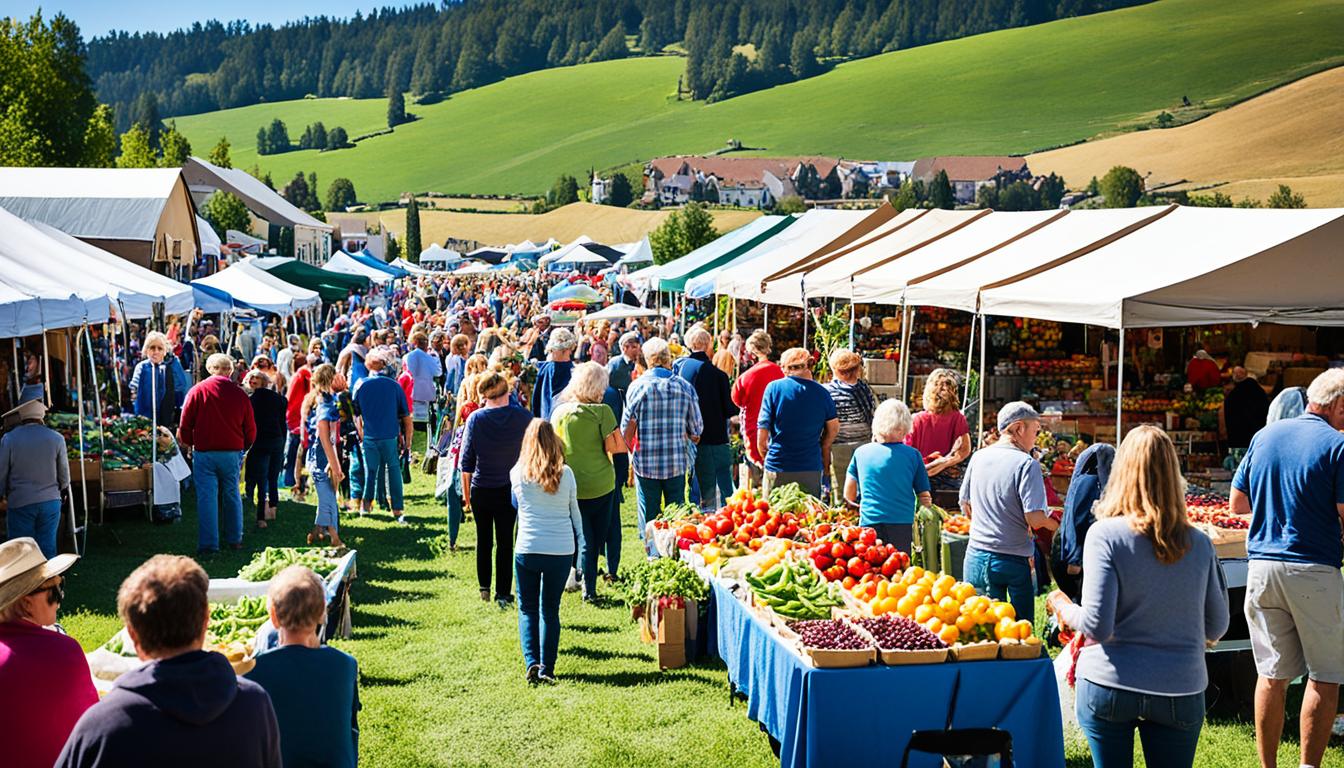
[(1009, 92)]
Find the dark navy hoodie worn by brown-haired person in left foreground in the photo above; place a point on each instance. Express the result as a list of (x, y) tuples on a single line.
[(186, 711)]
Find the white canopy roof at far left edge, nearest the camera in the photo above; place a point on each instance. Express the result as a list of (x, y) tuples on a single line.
[(34, 301)]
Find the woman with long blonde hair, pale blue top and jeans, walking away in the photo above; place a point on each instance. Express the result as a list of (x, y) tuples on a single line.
[(548, 524)]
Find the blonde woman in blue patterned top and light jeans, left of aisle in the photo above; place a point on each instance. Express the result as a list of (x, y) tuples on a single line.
[(322, 434)]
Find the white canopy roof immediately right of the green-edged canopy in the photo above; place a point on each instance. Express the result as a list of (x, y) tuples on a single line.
[(814, 231)]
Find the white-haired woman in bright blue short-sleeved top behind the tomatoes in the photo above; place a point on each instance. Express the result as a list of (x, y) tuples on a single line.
[(886, 478)]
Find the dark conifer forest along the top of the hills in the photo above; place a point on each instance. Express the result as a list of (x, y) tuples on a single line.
[(733, 46)]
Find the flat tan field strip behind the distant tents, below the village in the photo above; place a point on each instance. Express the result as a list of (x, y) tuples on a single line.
[(604, 224)]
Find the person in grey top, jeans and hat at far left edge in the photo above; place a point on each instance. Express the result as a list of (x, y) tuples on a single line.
[(34, 474)]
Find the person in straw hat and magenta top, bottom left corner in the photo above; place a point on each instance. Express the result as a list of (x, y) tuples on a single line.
[(45, 681)]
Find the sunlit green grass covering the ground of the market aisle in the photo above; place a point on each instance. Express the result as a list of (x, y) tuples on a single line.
[(442, 672)]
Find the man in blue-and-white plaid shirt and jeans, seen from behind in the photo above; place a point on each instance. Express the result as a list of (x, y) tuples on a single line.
[(662, 414)]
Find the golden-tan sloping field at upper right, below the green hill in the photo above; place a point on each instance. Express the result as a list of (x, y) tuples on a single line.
[(1294, 135)]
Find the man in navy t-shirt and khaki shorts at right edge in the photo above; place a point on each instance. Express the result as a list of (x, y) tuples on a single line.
[(1292, 485)]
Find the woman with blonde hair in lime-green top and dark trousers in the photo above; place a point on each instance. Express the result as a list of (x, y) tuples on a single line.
[(589, 434)]
